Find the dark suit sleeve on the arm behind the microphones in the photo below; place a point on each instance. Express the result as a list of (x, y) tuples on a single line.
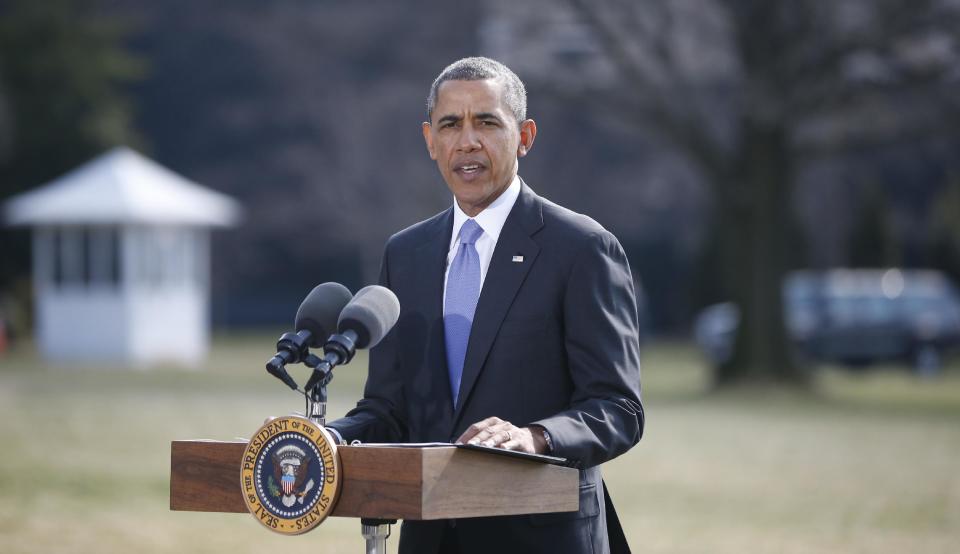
[(377, 416)]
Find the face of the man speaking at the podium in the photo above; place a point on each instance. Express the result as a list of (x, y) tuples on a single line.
[(476, 140)]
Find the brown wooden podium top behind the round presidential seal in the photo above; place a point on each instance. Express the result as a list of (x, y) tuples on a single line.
[(388, 482)]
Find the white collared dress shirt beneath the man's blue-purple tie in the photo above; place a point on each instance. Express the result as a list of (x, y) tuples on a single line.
[(491, 220)]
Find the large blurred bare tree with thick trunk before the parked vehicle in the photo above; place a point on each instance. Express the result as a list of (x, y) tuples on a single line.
[(750, 90)]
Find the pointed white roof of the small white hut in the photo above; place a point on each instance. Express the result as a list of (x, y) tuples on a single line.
[(121, 186)]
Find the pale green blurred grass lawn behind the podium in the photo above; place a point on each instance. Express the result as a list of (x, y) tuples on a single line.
[(866, 463)]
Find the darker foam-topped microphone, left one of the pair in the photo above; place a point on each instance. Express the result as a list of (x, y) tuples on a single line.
[(316, 318)]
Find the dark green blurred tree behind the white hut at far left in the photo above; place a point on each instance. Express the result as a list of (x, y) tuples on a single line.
[(62, 74)]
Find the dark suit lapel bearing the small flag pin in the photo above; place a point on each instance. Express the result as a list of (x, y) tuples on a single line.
[(503, 280)]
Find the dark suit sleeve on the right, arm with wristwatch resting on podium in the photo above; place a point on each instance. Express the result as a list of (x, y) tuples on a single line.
[(601, 338)]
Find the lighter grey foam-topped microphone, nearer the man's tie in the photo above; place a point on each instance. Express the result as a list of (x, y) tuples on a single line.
[(363, 323)]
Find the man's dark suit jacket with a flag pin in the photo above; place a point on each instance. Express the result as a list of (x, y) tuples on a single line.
[(554, 342)]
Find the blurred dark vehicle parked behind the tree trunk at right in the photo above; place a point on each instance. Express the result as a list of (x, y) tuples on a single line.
[(854, 317)]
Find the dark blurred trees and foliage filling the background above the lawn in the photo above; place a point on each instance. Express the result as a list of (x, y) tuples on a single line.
[(723, 141)]
